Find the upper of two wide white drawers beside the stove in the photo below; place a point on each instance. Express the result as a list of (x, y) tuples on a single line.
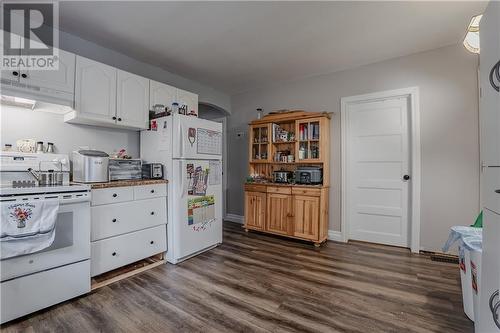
[(116, 219)]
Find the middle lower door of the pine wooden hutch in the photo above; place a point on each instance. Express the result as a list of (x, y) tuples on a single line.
[(278, 213)]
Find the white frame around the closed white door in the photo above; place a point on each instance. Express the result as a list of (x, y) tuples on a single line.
[(412, 94)]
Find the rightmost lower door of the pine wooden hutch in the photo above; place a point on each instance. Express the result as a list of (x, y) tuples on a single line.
[(306, 217)]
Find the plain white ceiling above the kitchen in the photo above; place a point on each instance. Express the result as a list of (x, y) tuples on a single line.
[(236, 46)]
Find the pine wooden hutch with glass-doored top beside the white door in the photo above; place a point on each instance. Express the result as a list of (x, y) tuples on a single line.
[(284, 141)]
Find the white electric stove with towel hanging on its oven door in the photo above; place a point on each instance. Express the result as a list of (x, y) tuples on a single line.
[(61, 271)]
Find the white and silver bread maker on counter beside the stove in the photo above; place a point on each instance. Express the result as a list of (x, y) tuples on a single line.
[(90, 166)]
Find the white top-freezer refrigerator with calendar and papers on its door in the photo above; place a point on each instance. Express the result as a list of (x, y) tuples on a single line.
[(190, 150)]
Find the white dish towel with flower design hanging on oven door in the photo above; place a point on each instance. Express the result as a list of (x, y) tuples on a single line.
[(27, 226)]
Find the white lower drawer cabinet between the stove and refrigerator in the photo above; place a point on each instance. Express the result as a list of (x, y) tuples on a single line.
[(128, 224)]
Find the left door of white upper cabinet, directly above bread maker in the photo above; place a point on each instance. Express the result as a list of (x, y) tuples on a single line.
[(95, 91)]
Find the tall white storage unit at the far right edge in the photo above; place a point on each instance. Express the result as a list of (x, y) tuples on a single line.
[(490, 156)]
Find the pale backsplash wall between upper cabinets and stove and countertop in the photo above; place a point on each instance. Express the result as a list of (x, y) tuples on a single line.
[(19, 123)]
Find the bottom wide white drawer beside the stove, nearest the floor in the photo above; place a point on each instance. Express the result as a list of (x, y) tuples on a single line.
[(115, 252)]
